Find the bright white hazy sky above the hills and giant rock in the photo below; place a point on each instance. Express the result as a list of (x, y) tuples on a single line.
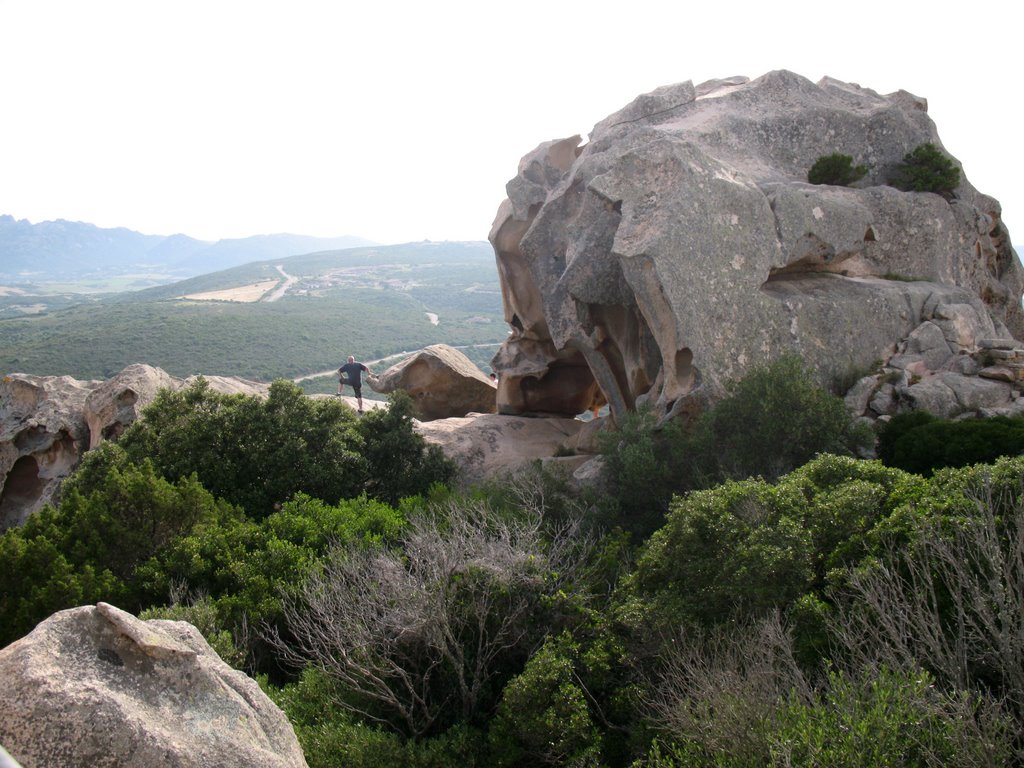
[(401, 121)]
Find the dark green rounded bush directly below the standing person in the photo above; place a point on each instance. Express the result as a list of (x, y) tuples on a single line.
[(258, 454)]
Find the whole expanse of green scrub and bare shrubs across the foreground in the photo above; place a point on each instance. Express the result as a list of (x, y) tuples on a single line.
[(714, 607)]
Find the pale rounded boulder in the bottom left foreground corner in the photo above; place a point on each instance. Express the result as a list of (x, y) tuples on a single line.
[(96, 687)]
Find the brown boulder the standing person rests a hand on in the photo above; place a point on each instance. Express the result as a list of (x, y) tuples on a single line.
[(442, 381)]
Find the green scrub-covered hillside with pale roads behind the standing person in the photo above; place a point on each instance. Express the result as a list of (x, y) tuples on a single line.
[(369, 303)]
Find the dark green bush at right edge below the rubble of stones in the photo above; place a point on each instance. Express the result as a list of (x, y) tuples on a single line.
[(922, 444)]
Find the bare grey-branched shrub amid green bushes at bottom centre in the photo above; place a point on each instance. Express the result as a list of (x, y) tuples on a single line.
[(423, 635)]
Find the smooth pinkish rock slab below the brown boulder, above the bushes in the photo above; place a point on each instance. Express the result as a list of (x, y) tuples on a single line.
[(488, 445)]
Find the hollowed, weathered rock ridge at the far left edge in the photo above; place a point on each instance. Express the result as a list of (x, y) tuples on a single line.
[(48, 422)]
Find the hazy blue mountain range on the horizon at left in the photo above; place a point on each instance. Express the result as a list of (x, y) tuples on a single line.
[(69, 251)]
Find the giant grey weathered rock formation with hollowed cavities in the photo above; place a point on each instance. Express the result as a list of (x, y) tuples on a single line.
[(684, 246)]
